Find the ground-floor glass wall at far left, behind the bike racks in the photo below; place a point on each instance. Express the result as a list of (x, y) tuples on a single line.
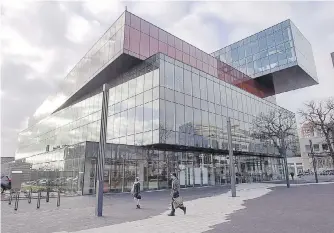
[(61, 169)]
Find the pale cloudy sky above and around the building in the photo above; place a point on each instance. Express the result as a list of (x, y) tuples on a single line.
[(42, 41)]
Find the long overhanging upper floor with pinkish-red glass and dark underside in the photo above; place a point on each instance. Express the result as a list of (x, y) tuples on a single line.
[(129, 41)]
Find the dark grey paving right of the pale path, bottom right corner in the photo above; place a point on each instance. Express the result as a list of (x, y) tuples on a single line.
[(300, 209)]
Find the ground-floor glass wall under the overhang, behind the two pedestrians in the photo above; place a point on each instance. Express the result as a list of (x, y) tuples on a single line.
[(153, 167)]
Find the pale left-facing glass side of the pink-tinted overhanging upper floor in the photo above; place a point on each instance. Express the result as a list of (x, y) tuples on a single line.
[(103, 52)]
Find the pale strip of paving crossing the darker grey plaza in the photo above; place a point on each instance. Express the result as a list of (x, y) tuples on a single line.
[(202, 214)]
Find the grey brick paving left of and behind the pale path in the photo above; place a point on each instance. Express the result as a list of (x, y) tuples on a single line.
[(77, 213)]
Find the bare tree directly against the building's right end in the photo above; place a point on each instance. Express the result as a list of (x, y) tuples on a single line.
[(279, 127)]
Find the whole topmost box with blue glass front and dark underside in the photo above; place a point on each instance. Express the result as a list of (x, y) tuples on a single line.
[(279, 57)]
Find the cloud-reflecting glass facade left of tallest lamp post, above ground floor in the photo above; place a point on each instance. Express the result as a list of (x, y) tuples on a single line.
[(77, 123)]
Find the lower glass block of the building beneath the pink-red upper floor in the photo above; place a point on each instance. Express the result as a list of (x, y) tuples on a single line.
[(163, 116)]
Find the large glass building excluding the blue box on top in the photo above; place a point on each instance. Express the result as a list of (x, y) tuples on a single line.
[(167, 112)]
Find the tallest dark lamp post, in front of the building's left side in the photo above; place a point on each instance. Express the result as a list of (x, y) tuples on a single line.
[(101, 153)]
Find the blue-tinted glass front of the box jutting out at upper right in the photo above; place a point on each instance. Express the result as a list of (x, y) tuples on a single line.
[(262, 53)]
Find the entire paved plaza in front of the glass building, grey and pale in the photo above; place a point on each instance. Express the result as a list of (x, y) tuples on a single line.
[(257, 208)]
